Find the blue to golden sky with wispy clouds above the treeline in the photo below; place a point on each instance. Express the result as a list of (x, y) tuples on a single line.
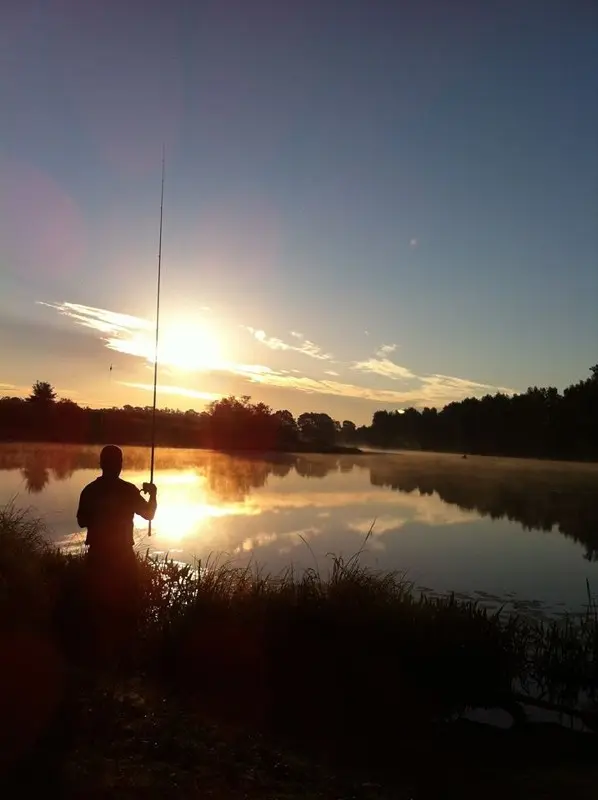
[(368, 203)]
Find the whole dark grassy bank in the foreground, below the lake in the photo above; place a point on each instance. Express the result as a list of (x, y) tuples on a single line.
[(350, 667)]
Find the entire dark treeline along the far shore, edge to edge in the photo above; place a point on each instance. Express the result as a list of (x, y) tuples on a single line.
[(540, 423)]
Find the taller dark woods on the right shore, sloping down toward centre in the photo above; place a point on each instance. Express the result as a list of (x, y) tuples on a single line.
[(541, 423)]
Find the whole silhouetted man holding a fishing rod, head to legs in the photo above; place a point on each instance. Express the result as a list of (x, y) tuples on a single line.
[(112, 586)]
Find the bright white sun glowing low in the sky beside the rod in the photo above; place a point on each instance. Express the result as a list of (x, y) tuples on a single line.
[(189, 346)]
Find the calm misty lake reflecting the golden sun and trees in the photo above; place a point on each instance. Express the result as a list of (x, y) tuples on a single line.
[(497, 529)]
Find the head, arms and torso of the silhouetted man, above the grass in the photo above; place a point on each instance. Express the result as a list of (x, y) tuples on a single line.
[(107, 507)]
